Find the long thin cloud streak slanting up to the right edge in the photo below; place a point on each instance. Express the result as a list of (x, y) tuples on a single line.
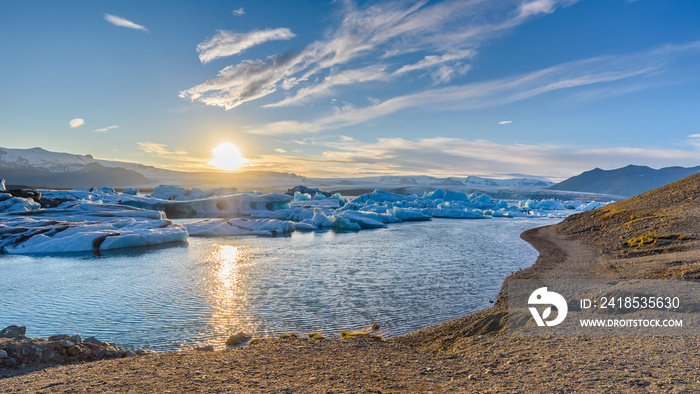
[(588, 72)]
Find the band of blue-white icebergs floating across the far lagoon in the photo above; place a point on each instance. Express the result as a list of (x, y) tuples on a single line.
[(103, 219)]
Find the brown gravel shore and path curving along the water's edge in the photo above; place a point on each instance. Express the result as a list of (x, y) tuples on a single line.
[(471, 354)]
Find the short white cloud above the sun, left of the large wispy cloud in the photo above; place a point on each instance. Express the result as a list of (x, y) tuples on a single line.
[(227, 43)]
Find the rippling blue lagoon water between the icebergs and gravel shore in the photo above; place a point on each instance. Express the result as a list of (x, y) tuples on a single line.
[(403, 277)]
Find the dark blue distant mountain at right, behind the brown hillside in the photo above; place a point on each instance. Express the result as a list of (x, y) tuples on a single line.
[(627, 181)]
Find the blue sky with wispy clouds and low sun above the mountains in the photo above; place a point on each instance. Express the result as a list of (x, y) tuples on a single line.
[(544, 88)]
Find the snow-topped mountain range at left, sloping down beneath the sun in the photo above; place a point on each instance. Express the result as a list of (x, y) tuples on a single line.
[(38, 167)]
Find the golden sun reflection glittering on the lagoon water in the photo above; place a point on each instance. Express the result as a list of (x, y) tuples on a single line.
[(228, 287)]
